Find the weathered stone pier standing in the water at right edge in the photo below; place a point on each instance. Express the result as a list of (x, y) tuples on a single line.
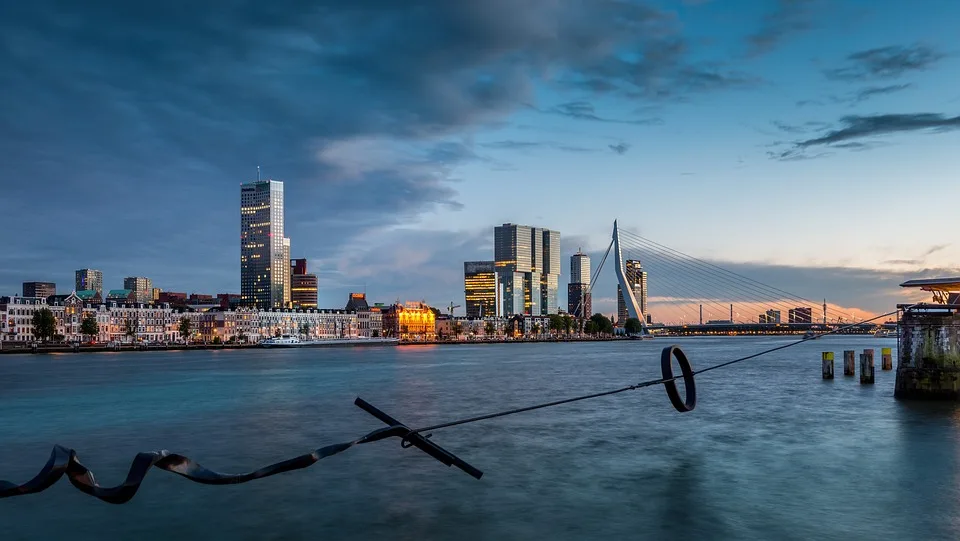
[(928, 356)]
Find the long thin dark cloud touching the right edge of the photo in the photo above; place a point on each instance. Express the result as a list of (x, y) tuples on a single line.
[(854, 128)]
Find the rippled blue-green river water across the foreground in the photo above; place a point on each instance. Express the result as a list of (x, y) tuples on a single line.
[(771, 451)]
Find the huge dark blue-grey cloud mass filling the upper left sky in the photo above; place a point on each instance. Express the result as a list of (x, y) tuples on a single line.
[(139, 120)]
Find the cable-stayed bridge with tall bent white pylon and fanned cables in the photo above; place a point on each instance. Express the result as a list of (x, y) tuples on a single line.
[(671, 292)]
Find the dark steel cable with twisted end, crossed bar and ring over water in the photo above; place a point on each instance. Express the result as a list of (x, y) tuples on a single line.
[(64, 461)]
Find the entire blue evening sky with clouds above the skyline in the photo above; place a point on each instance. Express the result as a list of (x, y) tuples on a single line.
[(809, 144)]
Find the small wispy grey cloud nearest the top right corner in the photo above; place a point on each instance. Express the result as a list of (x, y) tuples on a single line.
[(885, 63)]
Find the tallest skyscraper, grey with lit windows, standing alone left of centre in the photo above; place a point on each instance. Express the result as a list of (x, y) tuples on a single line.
[(264, 267)]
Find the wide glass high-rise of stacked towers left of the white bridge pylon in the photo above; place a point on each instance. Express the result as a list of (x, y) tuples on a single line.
[(527, 262)]
